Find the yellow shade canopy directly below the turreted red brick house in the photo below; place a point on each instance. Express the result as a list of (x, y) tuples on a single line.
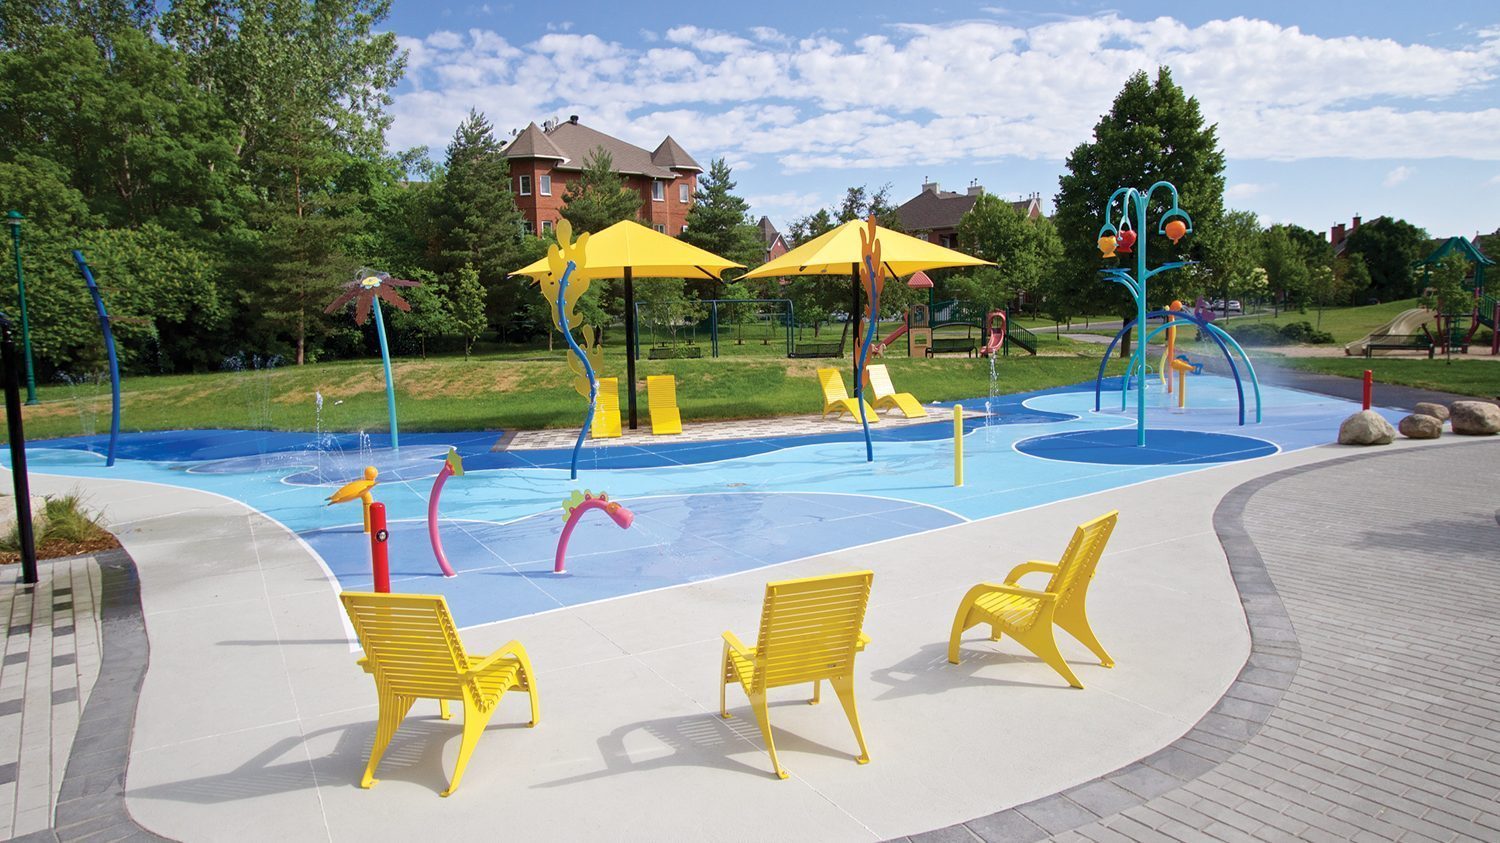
[(644, 253)]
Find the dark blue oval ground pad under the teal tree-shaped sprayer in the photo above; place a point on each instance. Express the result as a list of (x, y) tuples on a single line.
[(1118, 446)]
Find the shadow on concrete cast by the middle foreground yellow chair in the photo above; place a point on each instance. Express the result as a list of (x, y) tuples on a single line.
[(710, 742)]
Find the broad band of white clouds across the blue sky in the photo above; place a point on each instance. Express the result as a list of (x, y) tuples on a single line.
[(965, 92)]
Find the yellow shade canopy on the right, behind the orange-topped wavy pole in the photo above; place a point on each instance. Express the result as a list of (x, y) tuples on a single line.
[(836, 251)]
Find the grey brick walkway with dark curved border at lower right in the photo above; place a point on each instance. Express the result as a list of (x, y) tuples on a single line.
[(1370, 707)]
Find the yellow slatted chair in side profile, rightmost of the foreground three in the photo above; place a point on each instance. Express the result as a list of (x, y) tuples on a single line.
[(1030, 616)]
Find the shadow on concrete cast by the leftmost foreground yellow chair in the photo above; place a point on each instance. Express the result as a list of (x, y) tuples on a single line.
[(415, 757)]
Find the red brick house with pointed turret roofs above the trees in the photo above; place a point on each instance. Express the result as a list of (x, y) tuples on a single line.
[(545, 160)]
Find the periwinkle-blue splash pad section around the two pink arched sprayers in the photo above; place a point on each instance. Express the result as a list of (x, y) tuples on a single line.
[(506, 569)]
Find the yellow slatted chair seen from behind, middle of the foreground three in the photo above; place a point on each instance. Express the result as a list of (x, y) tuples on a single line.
[(809, 632)]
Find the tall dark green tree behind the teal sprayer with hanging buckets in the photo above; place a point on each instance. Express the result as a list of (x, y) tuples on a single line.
[(1153, 133)]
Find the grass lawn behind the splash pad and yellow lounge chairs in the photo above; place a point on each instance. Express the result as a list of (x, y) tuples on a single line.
[(524, 389)]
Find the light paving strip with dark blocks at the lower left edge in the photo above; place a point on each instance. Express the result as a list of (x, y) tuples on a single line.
[(52, 661)]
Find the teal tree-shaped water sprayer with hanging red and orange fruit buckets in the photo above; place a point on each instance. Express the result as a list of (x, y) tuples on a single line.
[(1121, 235)]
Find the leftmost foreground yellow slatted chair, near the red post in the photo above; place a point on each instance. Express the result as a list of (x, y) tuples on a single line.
[(415, 652)]
